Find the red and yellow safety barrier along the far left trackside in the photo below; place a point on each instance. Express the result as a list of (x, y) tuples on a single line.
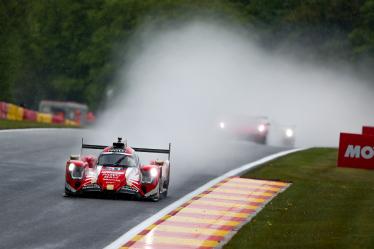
[(14, 112)]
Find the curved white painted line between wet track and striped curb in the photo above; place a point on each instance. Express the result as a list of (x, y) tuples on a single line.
[(140, 227)]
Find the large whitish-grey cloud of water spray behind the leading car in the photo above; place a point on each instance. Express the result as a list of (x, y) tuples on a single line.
[(179, 80)]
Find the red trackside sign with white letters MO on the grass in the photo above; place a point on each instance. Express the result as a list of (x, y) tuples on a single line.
[(356, 151)]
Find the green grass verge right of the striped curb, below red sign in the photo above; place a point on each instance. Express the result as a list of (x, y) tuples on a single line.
[(326, 206)]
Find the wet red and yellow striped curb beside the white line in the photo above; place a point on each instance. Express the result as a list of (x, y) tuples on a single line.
[(210, 217)]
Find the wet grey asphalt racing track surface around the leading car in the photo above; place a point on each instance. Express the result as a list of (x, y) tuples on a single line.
[(34, 214)]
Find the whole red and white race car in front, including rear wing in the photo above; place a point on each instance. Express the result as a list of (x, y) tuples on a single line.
[(118, 170)]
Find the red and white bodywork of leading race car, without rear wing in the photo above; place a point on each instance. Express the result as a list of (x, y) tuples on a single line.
[(83, 175)]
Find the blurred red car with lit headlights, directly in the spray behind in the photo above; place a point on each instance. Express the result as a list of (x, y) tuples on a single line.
[(250, 128)]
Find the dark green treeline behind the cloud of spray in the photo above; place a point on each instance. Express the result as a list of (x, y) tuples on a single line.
[(64, 49)]
